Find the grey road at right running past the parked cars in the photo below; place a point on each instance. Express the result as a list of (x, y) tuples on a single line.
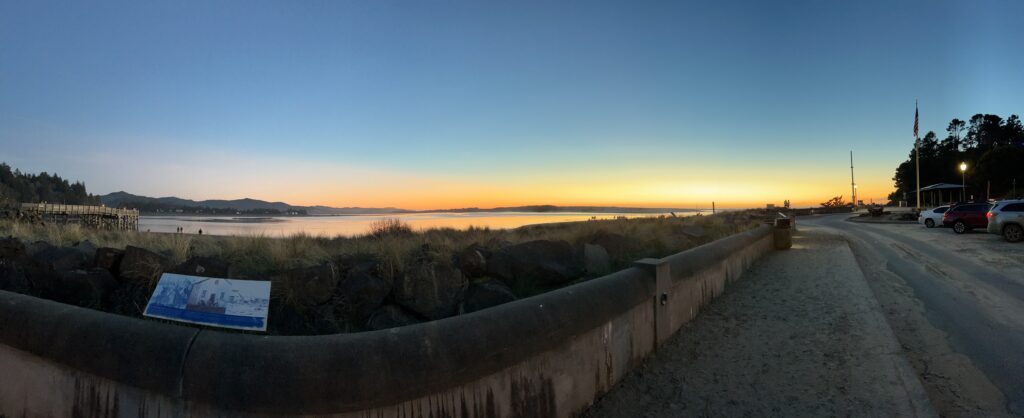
[(957, 305)]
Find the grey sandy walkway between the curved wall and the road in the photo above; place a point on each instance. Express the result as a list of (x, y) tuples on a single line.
[(801, 335)]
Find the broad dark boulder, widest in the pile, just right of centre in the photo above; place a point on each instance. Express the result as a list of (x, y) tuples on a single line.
[(535, 264)]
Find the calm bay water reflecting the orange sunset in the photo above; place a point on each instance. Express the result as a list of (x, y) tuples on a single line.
[(356, 225)]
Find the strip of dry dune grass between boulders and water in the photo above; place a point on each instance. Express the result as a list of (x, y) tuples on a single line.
[(392, 242)]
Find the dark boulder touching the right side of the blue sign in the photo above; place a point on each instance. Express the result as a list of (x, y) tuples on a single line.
[(308, 286)]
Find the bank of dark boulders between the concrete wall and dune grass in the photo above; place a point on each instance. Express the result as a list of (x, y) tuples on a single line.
[(343, 294)]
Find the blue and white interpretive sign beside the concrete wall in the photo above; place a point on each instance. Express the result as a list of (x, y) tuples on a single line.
[(241, 305)]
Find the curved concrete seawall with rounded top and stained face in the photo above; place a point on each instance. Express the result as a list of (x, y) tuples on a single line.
[(550, 355)]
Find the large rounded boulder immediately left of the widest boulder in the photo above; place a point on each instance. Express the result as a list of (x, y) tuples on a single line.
[(432, 287)]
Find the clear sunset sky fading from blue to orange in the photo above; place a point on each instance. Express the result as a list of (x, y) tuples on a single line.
[(428, 105)]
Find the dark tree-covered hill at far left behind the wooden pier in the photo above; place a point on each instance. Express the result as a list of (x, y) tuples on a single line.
[(17, 187)]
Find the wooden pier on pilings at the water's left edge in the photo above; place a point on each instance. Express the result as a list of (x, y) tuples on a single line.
[(100, 218)]
